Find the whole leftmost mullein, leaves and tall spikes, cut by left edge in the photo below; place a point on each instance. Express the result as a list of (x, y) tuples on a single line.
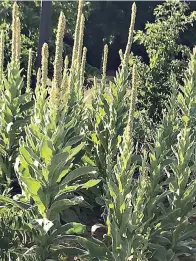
[(15, 104)]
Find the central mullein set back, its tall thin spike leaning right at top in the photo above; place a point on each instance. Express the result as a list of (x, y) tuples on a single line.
[(108, 115)]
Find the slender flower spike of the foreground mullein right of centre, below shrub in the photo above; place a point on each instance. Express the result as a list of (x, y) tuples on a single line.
[(129, 127)]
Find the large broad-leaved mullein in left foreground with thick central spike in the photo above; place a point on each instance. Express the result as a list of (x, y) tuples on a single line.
[(48, 168)]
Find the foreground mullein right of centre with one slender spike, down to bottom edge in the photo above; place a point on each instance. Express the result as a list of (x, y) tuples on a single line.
[(120, 192)]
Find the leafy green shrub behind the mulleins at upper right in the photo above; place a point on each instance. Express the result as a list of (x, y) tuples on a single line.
[(166, 55)]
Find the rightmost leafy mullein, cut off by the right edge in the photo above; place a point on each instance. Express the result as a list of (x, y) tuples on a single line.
[(182, 176)]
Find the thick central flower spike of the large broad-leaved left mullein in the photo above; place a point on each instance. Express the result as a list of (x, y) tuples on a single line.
[(58, 62)]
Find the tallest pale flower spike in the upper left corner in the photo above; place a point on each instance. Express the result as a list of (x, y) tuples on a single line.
[(14, 31)]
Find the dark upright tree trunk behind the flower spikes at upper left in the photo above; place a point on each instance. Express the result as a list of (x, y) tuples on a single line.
[(44, 28)]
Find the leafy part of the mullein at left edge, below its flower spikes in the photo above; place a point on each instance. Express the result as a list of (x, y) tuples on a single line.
[(14, 116)]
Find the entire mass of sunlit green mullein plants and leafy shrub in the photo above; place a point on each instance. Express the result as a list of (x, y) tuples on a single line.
[(105, 179)]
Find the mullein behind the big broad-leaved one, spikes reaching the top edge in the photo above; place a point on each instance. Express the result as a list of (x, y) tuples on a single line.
[(71, 86)]
